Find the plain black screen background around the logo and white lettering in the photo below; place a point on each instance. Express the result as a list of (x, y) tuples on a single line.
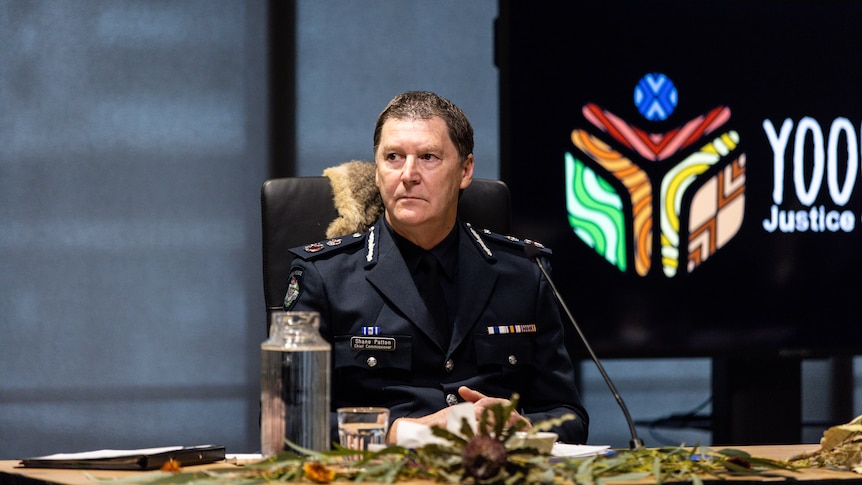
[(763, 293)]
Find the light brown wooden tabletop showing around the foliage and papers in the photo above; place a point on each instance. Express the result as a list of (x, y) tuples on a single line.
[(12, 473)]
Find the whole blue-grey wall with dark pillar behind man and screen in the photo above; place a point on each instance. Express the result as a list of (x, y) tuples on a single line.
[(134, 137)]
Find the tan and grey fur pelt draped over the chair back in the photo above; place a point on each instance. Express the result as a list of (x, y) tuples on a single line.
[(356, 197)]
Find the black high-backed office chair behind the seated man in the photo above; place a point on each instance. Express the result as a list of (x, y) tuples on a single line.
[(298, 210)]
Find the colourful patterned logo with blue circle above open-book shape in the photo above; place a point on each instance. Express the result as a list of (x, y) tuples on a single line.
[(629, 190)]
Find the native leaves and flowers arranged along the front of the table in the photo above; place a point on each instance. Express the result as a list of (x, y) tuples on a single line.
[(480, 457)]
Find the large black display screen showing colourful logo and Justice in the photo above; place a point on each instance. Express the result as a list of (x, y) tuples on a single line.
[(694, 167)]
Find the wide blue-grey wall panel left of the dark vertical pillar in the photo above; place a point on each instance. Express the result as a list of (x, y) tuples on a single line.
[(132, 147)]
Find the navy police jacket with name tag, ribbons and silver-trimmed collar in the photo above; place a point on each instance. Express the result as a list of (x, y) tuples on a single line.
[(507, 336)]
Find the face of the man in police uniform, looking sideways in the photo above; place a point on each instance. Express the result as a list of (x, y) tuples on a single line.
[(419, 177)]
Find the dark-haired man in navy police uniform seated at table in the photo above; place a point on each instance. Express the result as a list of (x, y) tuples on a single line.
[(493, 329)]
